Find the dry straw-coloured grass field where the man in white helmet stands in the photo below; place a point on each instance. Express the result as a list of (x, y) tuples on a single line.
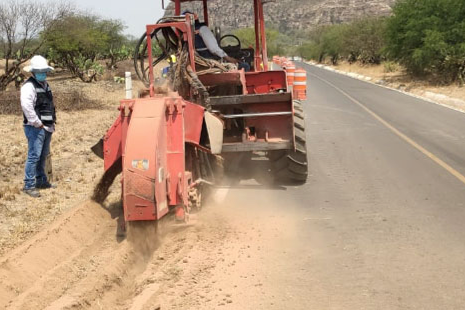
[(76, 169)]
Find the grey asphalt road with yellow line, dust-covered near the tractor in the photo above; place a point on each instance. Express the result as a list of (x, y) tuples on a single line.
[(380, 223)]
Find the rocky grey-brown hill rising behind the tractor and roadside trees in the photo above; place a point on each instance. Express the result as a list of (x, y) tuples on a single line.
[(291, 14)]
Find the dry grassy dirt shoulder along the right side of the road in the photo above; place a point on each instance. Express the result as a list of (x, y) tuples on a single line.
[(449, 95)]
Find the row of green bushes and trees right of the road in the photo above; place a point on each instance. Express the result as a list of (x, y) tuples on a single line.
[(426, 37)]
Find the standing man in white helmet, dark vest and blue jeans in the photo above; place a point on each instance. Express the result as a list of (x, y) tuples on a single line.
[(39, 124)]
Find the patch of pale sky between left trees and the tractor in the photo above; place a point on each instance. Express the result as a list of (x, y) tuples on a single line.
[(134, 13)]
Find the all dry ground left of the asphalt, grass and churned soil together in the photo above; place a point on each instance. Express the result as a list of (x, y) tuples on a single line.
[(62, 251)]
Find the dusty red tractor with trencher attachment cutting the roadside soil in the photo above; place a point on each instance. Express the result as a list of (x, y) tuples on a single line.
[(170, 142)]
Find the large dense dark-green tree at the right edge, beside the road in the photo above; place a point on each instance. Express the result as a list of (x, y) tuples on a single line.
[(428, 37)]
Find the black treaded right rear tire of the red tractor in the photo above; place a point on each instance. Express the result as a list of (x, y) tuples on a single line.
[(291, 167)]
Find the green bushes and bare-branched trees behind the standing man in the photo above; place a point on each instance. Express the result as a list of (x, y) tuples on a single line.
[(82, 43)]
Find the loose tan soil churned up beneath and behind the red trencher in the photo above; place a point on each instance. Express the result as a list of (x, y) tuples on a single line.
[(78, 263)]
